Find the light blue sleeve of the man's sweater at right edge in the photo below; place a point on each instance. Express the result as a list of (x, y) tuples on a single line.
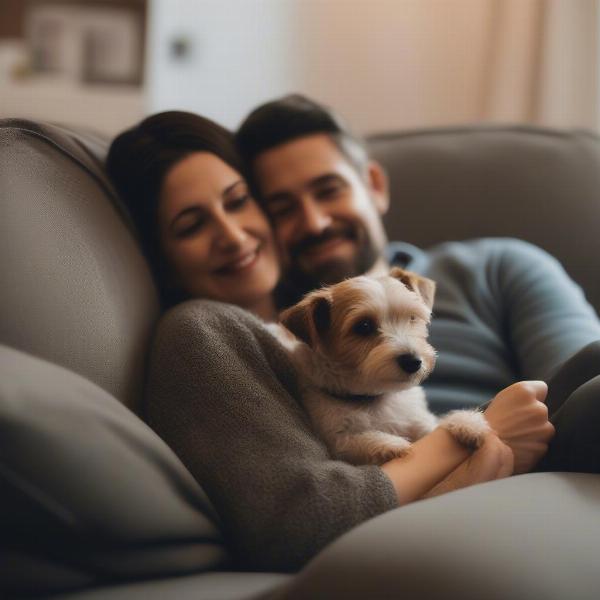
[(547, 316)]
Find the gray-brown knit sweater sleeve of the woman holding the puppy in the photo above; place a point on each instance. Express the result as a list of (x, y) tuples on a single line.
[(223, 395)]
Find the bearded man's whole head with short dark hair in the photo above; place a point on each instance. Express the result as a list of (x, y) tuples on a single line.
[(323, 193)]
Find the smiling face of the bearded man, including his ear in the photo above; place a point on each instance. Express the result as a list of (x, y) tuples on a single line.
[(326, 216)]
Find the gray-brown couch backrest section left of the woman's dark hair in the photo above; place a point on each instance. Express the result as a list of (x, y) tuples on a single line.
[(75, 288)]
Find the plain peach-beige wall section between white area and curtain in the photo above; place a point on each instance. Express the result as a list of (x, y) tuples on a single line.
[(394, 64)]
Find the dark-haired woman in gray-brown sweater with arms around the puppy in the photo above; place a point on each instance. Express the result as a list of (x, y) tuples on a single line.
[(223, 394)]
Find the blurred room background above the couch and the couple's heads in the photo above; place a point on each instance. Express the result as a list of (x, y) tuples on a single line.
[(384, 64)]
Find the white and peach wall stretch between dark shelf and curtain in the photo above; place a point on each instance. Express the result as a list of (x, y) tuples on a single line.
[(383, 63)]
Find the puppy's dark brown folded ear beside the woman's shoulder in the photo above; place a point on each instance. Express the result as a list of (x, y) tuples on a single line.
[(309, 320)]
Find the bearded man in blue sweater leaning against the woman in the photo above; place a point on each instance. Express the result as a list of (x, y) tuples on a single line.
[(504, 309)]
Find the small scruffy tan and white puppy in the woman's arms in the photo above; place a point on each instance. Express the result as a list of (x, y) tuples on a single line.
[(361, 349)]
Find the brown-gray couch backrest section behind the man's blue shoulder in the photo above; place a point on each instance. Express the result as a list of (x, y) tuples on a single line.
[(537, 184)]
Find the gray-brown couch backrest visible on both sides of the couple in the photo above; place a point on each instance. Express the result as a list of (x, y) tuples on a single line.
[(77, 291)]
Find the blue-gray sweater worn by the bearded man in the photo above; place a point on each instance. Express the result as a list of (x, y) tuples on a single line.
[(504, 311)]
